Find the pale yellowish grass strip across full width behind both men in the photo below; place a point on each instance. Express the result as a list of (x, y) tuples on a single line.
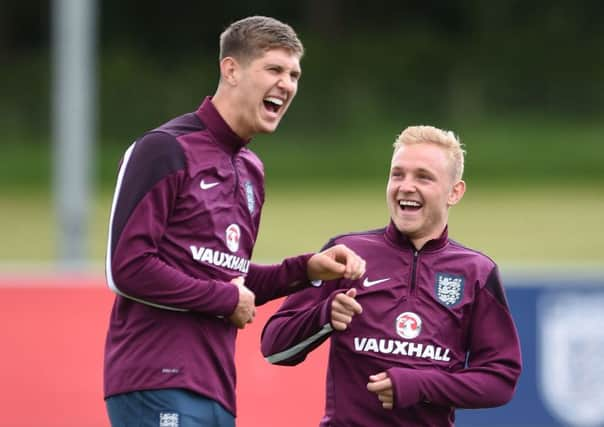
[(529, 226)]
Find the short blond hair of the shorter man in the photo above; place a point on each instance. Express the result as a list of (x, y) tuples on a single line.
[(432, 135)]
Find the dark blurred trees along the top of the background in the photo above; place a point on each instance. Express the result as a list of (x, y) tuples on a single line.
[(451, 59)]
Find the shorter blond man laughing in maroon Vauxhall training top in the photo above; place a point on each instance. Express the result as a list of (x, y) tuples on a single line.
[(427, 329)]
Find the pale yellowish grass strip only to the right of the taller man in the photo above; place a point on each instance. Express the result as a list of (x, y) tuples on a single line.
[(530, 226)]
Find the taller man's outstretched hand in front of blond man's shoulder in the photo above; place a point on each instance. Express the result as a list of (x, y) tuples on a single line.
[(335, 262)]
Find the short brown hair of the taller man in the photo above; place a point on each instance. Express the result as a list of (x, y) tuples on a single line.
[(250, 37)]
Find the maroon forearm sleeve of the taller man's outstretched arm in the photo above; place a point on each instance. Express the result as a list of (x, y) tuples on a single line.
[(269, 282)]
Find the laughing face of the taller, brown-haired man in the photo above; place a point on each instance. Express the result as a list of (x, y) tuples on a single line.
[(258, 92)]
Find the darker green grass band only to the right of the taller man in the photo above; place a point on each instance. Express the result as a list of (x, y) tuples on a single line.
[(504, 151)]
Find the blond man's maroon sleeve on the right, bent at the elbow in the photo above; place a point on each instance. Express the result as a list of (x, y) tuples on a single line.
[(494, 361)]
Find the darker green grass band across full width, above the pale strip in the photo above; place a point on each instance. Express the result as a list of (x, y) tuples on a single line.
[(501, 150)]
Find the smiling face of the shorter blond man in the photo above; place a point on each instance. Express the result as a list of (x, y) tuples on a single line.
[(421, 188)]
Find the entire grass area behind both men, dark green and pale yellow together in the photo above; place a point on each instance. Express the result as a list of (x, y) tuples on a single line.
[(536, 189)]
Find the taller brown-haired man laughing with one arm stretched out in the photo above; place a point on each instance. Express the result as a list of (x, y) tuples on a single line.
[(184, 220)]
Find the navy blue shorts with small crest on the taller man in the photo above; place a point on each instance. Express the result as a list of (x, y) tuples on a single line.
[(166, 408)]
